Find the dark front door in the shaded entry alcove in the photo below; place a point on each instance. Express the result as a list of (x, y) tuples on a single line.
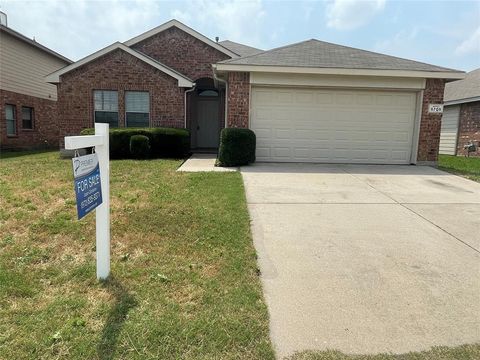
[(208, 126)]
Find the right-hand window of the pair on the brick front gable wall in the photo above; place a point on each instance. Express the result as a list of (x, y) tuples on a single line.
[(137, 108)]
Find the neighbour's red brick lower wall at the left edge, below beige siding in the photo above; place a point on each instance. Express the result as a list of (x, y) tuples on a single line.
[(44, 132)]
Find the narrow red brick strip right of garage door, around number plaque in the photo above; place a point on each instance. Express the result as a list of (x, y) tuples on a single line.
[(430, 124)]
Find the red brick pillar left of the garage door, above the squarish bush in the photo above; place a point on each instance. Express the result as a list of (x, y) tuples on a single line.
[(238, 99)]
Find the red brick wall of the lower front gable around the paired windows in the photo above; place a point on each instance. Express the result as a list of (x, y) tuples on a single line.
[(118, 71)]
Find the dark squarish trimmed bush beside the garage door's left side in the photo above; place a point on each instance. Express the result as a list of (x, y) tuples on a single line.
[(237, 147)]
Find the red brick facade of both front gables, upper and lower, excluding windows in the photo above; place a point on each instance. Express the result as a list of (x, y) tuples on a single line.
[(122, 72)]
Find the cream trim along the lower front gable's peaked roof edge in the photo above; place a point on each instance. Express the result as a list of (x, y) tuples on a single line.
[(183, 81)]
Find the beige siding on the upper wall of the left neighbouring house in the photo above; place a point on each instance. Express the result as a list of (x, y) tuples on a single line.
[(23, 68)]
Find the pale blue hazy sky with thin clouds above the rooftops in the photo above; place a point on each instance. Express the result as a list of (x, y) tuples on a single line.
[(444, 33)]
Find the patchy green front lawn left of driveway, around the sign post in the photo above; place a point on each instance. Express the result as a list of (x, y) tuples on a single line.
[(185, 283)]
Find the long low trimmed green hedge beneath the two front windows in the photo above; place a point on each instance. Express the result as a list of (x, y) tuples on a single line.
[(164, 142)]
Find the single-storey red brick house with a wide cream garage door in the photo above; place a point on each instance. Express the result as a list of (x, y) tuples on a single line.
[(307, 102)]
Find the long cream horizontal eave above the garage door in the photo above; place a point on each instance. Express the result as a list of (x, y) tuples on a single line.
[(222, 67)]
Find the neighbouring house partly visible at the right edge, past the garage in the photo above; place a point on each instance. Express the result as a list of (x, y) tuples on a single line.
[(461, 115)]
